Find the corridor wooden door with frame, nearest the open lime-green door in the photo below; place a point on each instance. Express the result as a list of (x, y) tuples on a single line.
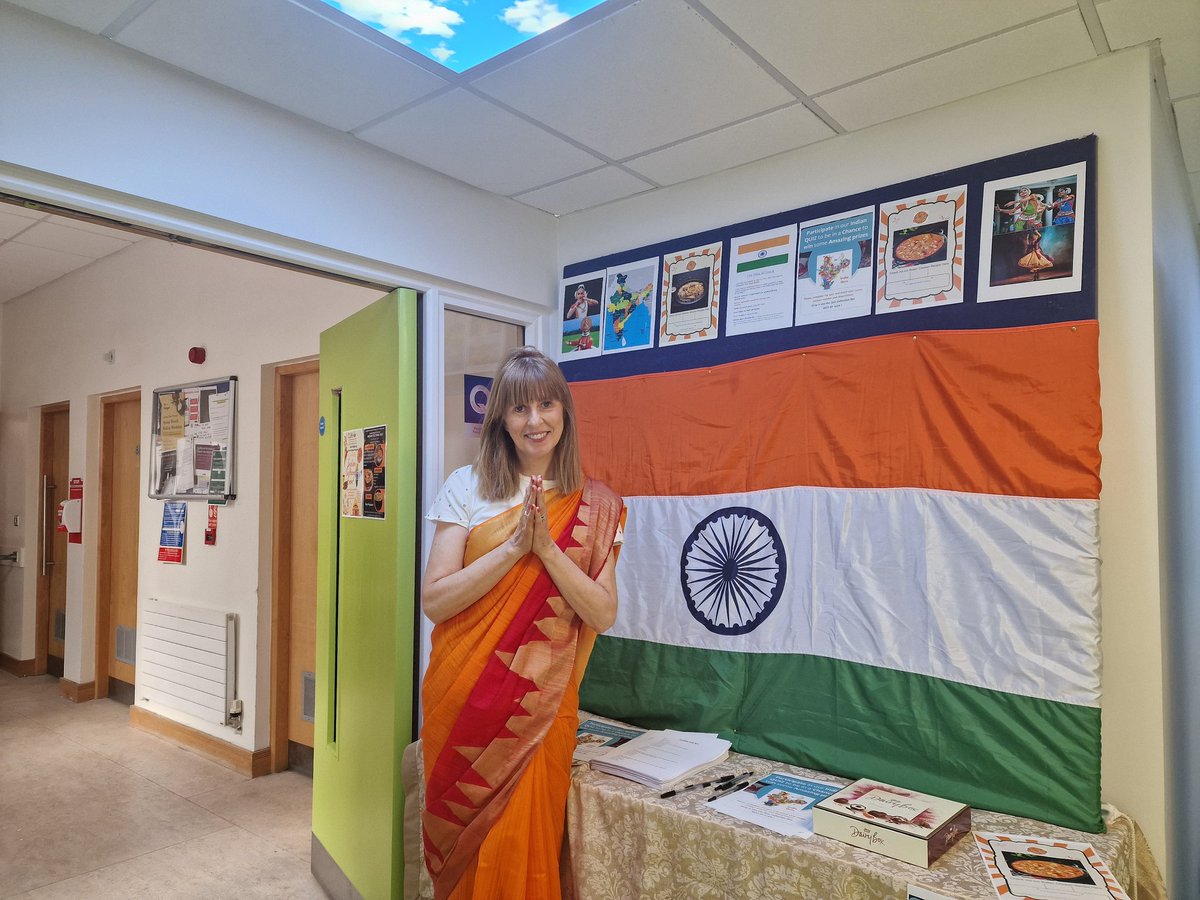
[(295, 617)]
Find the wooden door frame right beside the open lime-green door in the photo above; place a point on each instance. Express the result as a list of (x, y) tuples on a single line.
[(281, 613)]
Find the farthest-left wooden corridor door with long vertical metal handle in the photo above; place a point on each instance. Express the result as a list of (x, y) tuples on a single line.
[(52, 580)]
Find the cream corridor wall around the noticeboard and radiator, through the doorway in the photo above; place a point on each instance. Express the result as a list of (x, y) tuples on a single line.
[(151, 303)]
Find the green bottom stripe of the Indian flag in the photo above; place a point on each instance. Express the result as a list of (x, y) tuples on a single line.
[(1000, 752)]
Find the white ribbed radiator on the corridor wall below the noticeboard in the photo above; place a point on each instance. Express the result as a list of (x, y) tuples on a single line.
[(188, 662)]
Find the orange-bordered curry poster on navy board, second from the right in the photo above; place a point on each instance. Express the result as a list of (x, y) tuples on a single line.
[(920, 257)]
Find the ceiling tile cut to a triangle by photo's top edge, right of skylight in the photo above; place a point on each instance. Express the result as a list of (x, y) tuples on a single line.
[(821, 45)]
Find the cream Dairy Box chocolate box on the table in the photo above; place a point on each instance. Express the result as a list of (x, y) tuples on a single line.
[(899, 824)]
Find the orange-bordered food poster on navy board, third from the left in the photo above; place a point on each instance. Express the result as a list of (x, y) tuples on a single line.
[(692, 290)]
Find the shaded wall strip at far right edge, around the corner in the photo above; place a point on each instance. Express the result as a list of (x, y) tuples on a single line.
[(1177, 290)]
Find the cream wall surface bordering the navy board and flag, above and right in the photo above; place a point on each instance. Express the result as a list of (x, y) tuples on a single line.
[(1109, 98)]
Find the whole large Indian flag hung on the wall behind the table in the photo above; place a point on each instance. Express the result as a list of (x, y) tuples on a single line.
[(877, 559)]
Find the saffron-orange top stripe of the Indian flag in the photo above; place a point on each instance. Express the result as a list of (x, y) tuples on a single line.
[(1005, 411)]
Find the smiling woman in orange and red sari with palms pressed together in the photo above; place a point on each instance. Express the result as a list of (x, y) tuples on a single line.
[(520, 580)]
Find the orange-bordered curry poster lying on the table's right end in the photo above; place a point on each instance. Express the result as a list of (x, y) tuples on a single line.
[(1047, 869)]
